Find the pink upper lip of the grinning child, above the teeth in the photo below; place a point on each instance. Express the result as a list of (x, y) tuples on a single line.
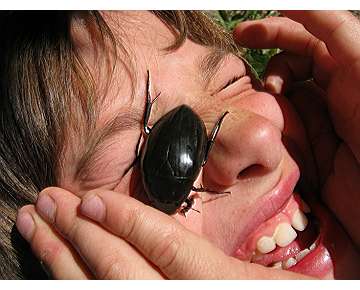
[(266, 207)]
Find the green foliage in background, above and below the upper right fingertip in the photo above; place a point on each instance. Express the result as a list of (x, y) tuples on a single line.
[(258, 58)]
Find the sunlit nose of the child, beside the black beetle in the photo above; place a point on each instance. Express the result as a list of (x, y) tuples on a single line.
[(248, 146)]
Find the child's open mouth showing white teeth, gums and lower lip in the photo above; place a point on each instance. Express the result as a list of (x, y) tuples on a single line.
[(292, 239)]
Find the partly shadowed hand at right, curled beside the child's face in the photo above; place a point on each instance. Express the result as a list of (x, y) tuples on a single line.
[(325, 48)]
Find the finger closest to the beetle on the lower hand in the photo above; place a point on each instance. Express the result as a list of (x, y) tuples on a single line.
[(177, 252)]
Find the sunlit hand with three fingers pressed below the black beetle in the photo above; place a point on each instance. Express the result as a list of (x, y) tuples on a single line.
[(108, 235)]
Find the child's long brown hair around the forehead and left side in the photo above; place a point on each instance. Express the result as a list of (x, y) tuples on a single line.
[(45, 86)]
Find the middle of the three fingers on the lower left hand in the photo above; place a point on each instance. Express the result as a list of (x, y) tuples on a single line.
[(107, 256)]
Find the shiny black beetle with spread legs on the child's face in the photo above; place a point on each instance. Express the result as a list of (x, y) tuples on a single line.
[(175, 149)]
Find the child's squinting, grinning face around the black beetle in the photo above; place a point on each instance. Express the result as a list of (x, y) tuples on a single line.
[(259, 153)]
